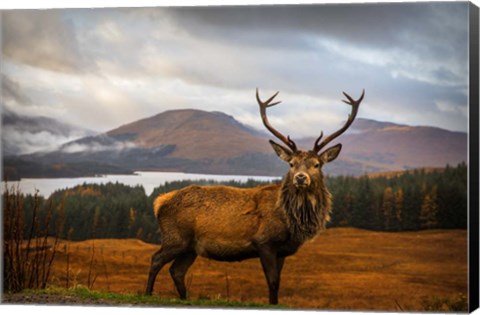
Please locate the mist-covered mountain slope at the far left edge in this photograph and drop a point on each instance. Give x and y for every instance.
(28, 134)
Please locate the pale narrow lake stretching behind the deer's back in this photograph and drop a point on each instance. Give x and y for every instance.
(149, 180)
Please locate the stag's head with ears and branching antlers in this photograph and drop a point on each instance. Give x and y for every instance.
(305, 171)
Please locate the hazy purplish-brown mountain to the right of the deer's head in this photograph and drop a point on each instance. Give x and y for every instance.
(383, 146)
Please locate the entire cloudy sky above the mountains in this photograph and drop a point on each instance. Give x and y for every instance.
(101, 68)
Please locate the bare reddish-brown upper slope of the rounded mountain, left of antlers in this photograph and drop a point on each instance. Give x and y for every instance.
(196, 135)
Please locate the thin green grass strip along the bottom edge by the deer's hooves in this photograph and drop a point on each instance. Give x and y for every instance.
(140, 299)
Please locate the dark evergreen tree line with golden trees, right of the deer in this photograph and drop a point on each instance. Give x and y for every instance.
(413, 200)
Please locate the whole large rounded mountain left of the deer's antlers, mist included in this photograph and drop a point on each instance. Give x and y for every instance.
(179, 140)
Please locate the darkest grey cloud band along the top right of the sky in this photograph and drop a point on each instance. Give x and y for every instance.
(435, 31)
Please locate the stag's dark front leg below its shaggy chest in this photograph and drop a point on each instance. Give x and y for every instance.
(270, 266)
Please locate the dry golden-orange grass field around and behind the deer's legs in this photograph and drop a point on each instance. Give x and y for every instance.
(342, 269)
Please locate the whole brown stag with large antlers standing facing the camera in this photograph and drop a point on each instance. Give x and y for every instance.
(269, 222)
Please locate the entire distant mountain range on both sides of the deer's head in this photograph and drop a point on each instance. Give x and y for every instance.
(212, 142)
